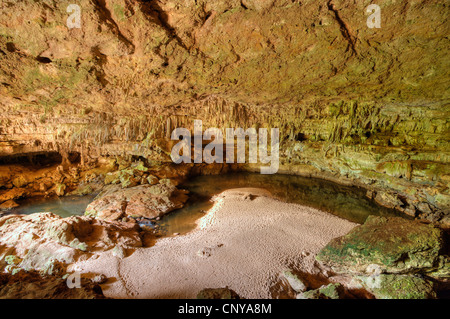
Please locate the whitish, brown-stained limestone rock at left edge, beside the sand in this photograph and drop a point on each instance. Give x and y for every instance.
(48, 243)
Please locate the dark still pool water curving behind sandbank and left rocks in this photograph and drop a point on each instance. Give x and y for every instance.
(347, 202)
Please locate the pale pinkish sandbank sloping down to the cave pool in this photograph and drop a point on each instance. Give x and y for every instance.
(244, 242)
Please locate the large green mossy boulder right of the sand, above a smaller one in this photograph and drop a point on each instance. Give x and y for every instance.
(395, 244)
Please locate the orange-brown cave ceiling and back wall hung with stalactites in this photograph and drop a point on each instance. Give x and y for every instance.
(353, 104)
